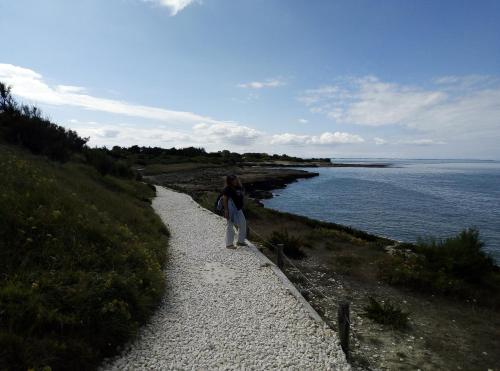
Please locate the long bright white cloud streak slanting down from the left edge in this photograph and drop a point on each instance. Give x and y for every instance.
(30, 85)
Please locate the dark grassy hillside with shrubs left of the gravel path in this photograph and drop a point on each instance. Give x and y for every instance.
(81, 250)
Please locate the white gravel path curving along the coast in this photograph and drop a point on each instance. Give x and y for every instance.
(223, 308)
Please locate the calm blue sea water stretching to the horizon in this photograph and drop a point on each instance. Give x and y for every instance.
(408, 200)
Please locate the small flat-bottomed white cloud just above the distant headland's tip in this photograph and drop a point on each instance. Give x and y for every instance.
(326, 138)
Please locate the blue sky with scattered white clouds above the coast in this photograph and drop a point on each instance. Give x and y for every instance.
(353, 78)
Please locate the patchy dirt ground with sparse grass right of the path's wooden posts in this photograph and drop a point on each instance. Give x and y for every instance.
(443, 334)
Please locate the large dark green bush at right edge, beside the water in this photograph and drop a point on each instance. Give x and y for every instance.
(456, 266)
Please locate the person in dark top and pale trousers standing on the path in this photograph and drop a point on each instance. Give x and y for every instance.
(233, 204)
